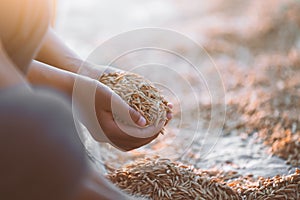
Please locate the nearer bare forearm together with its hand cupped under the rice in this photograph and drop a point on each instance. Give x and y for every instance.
(42, 74)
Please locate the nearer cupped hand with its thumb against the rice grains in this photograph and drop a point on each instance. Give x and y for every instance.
(123, 126)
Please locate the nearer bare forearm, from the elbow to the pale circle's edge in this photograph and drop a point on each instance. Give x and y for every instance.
(45, 75)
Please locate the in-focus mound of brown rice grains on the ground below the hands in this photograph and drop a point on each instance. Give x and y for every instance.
(163, 179)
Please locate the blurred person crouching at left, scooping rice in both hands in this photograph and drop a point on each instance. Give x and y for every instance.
(41, 155)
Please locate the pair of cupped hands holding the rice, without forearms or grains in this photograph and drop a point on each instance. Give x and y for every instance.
(122, 126)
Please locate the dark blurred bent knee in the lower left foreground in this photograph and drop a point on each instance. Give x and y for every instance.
(41, 154)
